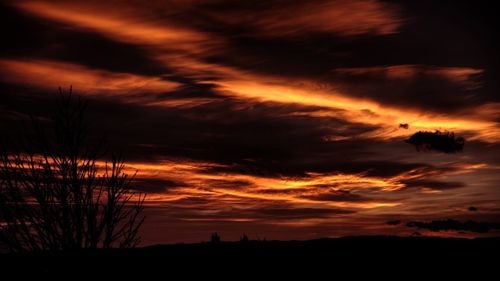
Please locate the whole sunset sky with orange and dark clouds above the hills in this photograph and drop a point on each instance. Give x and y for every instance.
(275, 119)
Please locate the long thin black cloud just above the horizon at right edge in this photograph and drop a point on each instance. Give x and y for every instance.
(454, 225)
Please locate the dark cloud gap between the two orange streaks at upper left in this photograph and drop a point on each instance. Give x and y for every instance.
(29, 37)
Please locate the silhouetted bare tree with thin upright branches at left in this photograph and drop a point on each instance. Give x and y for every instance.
(57, 194)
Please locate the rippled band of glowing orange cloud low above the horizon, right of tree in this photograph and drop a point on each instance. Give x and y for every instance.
(211, 195)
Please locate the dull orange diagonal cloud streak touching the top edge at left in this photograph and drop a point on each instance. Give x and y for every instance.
(119, 23)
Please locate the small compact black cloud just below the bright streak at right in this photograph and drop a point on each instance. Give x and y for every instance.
(437, 141)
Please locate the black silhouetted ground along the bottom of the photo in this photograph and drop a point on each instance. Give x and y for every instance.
(375, 256)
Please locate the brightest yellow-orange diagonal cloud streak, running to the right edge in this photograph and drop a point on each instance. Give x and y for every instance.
(361, 110)
